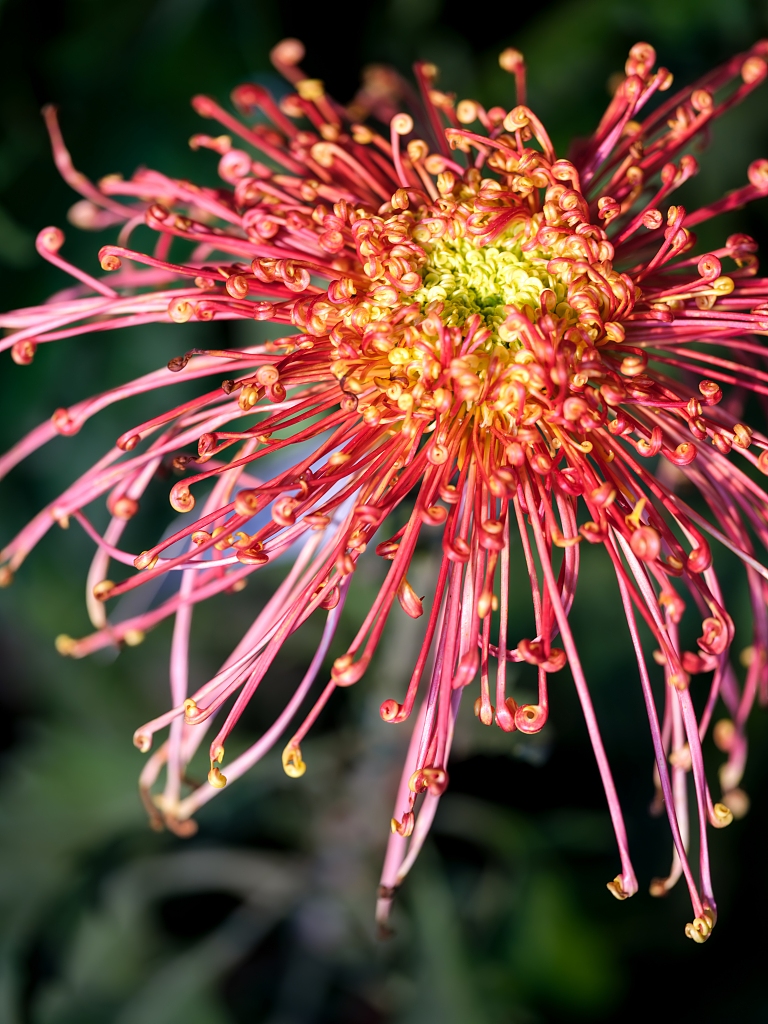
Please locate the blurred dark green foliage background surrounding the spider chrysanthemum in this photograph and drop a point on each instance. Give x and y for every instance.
(267, 915)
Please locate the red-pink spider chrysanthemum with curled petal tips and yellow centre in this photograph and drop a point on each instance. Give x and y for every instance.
(516, 348)
